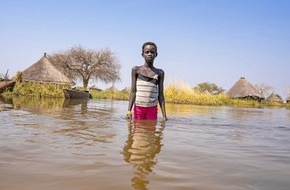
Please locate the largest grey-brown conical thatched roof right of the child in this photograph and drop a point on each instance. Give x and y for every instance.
(243, 89)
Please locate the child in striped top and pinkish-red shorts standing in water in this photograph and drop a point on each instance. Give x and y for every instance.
(147, 87)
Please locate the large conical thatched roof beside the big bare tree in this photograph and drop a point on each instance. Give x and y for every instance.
(44, 71)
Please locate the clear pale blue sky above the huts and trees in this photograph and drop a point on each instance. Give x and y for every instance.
(216, 41)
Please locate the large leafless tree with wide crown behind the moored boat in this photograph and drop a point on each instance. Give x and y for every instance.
(84, 64)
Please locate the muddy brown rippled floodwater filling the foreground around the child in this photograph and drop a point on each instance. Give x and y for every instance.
(88, 145)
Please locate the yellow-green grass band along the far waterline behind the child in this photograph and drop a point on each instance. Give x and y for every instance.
(176, 93)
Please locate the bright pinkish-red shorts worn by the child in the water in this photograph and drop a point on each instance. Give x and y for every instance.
(145, 113)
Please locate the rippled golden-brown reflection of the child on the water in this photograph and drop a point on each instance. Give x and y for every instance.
(141, 148)
